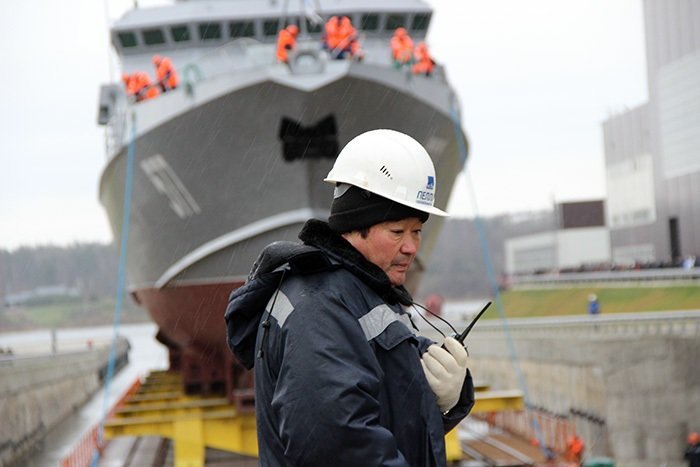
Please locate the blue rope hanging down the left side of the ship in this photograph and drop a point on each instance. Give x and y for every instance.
(121, 282)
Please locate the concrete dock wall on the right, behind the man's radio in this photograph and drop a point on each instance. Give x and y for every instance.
(630, 383)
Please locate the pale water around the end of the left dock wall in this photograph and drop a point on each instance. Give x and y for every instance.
(146, 355)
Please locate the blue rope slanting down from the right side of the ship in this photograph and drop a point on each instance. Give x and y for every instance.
(491, 277)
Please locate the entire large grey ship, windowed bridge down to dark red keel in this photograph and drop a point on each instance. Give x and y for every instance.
(234, 158)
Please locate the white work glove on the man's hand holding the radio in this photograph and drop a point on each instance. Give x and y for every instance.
(445, 371)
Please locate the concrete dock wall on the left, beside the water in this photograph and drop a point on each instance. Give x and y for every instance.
(38, 392)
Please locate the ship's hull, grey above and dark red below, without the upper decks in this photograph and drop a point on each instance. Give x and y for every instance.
(211, 187)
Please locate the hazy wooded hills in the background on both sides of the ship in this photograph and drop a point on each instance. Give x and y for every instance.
(457, 268)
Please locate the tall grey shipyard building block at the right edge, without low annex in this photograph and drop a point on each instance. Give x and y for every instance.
(652, 152)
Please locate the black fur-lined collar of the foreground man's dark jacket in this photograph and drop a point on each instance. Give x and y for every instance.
(318, 234)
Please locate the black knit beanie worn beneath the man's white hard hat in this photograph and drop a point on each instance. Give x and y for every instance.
(357, 209)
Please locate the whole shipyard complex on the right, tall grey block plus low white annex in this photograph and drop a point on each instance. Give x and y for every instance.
(652, 166)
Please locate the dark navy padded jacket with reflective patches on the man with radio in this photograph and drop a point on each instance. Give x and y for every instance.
(338, 379)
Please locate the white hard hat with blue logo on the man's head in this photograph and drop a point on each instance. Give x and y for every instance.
(390, 164)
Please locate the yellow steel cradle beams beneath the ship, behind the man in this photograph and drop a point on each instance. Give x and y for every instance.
(195, 423)
